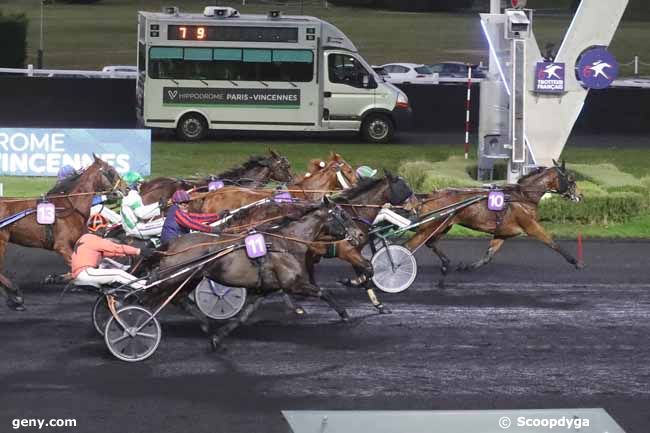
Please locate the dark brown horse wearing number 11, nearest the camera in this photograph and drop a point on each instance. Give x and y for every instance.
(281, 269)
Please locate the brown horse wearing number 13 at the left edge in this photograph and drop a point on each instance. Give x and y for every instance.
(72, 198)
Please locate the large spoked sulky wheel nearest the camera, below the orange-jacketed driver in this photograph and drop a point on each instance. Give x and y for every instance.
(126, 341)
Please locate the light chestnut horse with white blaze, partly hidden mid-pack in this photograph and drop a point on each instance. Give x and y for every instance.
(313, 187)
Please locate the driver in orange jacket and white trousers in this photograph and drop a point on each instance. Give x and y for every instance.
(89, 251)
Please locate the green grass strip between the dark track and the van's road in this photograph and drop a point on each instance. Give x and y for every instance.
(184, 159)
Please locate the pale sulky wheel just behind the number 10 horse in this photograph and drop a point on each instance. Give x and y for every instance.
(395, 269)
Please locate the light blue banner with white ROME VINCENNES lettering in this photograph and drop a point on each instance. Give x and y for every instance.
(42, 152)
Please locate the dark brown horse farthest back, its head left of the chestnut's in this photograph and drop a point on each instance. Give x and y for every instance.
(257, 170)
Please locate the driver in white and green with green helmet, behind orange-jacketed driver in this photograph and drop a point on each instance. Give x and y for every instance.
(139, 220)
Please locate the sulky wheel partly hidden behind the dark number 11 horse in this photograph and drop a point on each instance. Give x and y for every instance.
(217, 301)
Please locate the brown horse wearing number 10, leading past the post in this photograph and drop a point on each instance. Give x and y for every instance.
(520, 216)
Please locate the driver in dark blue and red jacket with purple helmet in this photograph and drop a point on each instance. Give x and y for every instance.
(180, 221)
